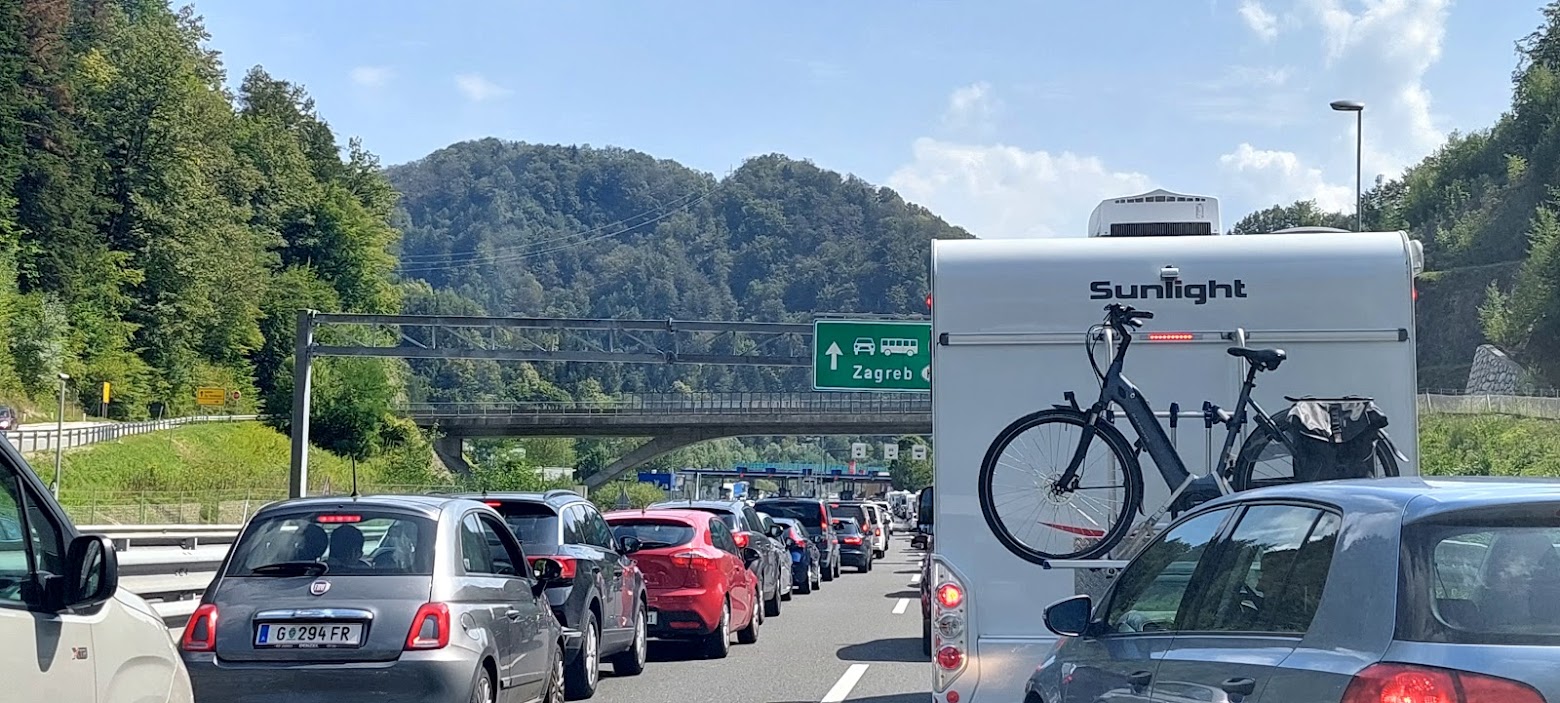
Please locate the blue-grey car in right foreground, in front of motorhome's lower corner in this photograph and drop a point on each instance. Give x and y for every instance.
(1361, 592)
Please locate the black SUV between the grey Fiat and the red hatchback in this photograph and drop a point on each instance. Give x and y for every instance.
(604, 592)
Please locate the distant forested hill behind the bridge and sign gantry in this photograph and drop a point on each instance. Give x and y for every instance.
(508, 228)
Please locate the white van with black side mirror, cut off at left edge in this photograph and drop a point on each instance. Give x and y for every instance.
(71, 634)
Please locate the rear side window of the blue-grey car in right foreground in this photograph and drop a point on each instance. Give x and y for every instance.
(1269, 578)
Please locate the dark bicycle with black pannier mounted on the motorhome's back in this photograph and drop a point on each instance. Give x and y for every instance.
(1015, 493)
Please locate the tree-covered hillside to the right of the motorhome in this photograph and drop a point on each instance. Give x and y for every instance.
(1486, 207)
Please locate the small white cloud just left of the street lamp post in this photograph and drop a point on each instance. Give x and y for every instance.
(1282, 178)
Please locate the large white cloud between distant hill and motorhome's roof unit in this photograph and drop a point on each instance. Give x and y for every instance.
(1002, 193)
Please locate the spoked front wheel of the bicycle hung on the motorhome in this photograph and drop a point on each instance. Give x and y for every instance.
(1018, 493)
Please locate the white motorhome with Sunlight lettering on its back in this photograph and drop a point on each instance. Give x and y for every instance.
(1009, 339)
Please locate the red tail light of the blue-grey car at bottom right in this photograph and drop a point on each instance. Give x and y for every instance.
(1406, 684)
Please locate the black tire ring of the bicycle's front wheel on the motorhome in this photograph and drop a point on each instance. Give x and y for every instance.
(1118, 447)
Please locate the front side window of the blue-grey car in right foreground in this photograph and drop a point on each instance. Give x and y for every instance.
(1150, 590)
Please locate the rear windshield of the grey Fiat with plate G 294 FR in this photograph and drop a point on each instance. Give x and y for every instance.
(341, 543)
